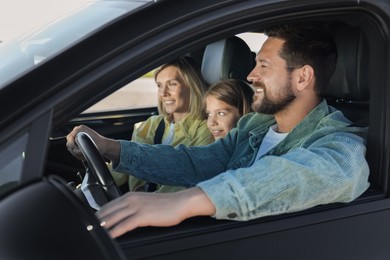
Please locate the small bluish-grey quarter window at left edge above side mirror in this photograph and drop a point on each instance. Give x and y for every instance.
(11, 162)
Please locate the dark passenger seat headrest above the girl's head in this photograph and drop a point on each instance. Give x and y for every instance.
(229, 58)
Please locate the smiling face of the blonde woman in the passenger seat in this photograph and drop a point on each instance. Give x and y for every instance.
(173, 92)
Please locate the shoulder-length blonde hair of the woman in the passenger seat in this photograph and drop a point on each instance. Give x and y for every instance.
(193, 79)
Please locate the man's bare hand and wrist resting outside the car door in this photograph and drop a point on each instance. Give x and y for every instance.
(139, 209)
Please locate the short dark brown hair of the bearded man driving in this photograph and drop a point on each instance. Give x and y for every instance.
(308, 44)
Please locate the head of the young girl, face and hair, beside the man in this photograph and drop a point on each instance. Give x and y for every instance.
(226, 101)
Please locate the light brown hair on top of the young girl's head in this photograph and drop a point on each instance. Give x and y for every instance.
(234, 92)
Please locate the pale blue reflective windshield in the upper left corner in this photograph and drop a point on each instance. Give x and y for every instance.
(22, 54)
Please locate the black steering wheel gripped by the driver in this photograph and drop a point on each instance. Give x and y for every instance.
(97, 168)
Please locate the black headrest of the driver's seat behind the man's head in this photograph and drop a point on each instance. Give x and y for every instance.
(349, 81)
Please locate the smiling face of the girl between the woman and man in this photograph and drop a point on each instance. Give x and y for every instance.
(221, 117)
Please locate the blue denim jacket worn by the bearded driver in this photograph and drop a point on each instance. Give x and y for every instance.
(321, 161)
